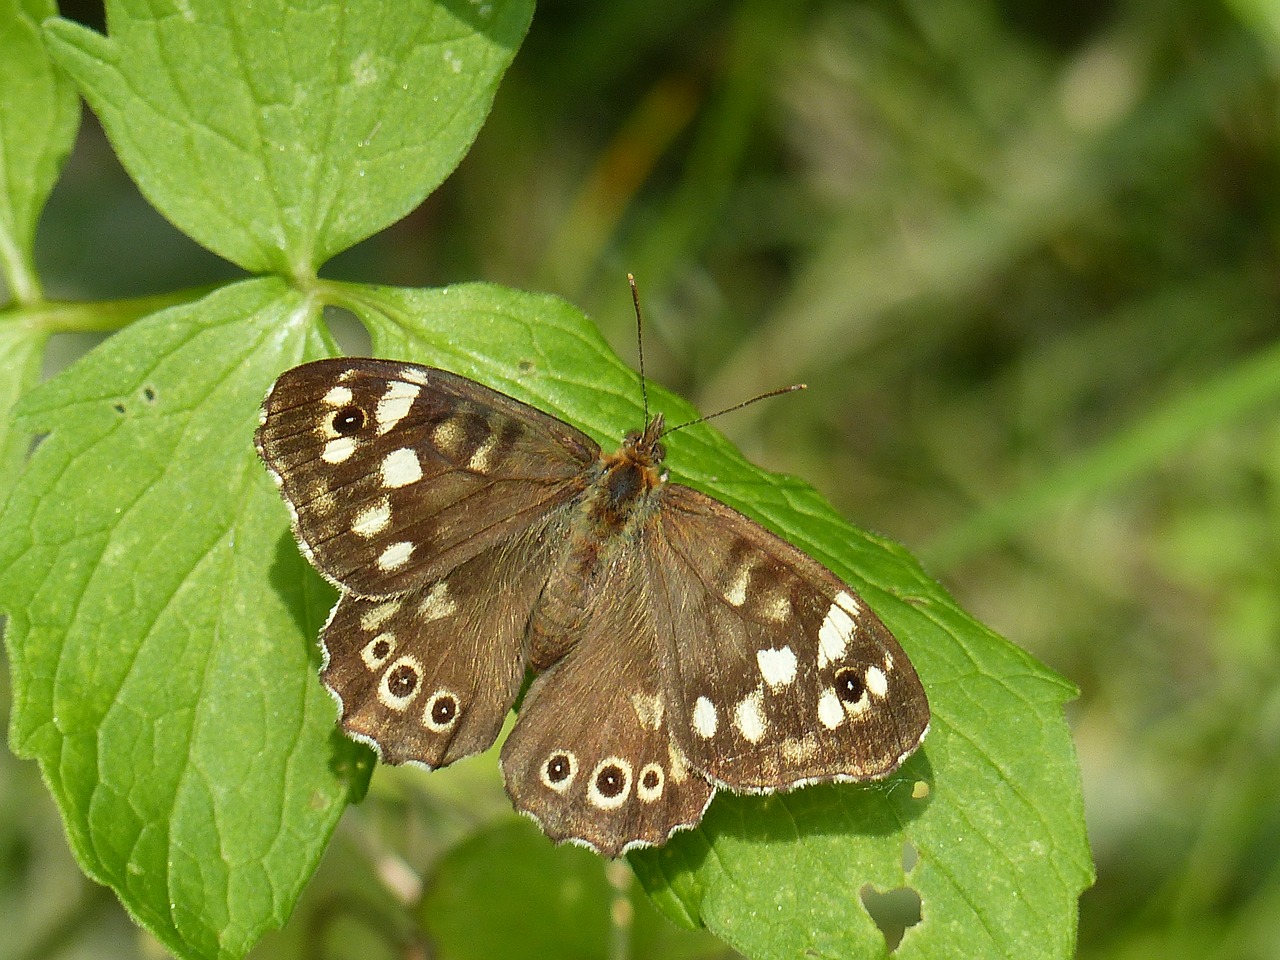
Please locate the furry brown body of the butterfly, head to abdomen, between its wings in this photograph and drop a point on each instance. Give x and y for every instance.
(620, 492)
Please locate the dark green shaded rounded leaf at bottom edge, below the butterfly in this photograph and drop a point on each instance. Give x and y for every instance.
(545, 902)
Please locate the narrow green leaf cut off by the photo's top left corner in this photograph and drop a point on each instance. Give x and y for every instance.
(39, 117)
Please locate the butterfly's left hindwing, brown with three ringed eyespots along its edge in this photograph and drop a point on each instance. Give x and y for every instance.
(429, 676)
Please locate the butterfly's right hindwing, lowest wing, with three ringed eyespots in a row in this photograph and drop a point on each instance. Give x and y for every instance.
(592, 758)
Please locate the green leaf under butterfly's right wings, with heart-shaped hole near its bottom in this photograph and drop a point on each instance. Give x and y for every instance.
(996, 849)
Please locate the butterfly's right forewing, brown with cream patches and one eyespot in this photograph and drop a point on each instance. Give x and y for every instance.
(776, 674)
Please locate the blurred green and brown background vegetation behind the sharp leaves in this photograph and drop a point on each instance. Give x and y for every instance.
(1023, 254)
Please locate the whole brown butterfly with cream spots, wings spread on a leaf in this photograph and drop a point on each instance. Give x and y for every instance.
(679, 648)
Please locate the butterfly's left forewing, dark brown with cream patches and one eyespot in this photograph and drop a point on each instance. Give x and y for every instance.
(397, 473)
